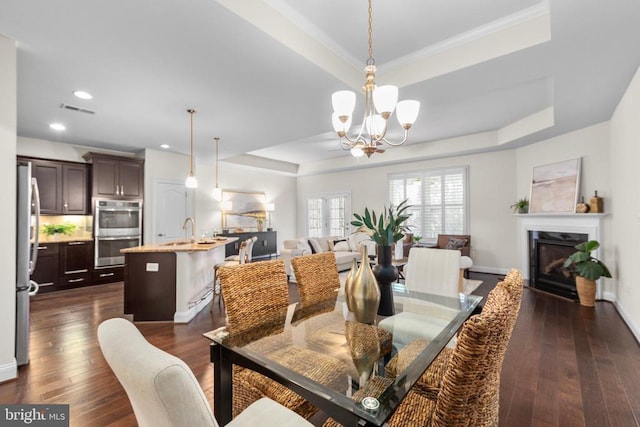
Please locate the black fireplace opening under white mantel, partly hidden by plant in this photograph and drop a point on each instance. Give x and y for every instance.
(547, 253)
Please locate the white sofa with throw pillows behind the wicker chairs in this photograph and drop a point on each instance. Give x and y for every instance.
(345, 249)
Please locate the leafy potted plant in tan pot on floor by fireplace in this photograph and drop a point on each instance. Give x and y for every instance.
(587, 269)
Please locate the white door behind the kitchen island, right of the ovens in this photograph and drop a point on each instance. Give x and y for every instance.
(169, 210)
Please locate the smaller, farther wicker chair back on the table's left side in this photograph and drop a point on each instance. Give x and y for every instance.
(317, 277)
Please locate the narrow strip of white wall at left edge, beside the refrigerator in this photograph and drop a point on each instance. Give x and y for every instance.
(8, 88)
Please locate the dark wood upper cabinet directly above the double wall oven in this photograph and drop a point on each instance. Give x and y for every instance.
(116, 177)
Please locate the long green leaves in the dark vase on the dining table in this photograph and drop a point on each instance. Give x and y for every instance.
(386, 228)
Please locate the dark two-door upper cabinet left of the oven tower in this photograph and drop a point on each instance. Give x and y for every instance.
(64, 186)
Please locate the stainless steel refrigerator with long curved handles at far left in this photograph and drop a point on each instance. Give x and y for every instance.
(27, 227)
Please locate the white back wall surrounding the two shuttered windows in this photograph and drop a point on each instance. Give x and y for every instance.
(492, 190)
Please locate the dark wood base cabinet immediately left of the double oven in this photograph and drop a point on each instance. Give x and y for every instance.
(76, 263)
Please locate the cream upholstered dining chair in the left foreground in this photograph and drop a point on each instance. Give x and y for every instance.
(162, 389)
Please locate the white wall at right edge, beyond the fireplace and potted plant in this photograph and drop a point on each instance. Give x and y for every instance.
(625, 202)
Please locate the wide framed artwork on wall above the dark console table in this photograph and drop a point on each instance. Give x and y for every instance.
(247, 210)
